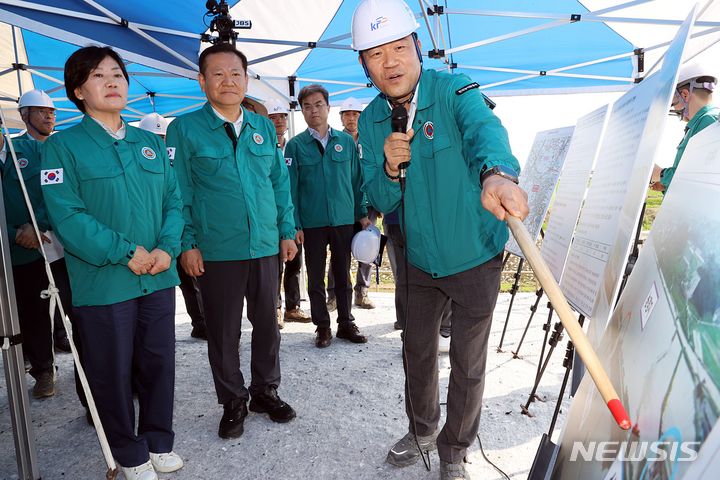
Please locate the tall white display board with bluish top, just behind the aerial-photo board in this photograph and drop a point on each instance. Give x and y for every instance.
(605, 231)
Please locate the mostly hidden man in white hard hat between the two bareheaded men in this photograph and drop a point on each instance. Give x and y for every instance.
(278, 114)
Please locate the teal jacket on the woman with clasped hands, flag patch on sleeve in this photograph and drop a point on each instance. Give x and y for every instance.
(104, 198)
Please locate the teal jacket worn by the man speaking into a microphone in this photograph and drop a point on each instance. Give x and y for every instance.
(456, 136)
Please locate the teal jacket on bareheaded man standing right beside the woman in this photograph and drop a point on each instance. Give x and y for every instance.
(237, 204)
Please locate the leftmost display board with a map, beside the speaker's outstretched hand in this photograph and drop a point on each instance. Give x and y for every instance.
(539, 177)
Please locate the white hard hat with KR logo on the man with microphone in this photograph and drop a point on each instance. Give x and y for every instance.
(376, 22)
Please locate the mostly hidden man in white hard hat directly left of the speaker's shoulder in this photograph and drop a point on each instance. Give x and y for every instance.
(349, 114)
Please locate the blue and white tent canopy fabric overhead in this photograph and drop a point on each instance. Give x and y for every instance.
(558, 46)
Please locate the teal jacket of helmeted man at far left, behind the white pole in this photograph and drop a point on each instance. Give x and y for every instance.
(16, 211)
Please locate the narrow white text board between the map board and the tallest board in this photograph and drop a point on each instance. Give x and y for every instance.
(572, 188)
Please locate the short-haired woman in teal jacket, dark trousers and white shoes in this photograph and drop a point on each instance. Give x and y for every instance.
(113, 200)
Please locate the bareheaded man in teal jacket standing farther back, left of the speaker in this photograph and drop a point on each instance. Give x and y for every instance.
(325, 180)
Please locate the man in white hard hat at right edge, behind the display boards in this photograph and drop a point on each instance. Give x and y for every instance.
(692, 102)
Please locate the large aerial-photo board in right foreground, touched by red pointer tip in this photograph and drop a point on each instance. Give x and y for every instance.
(661, 348)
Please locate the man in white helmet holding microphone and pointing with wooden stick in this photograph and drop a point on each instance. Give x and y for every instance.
(461, 184)
